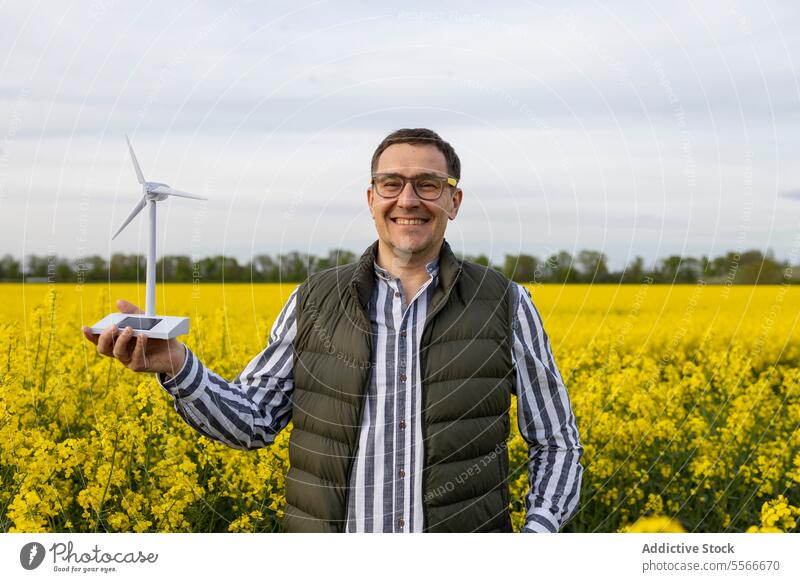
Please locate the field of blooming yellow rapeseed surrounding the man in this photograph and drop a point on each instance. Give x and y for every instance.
(687, 400)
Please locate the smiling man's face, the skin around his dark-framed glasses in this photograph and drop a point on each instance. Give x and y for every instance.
(406, 240)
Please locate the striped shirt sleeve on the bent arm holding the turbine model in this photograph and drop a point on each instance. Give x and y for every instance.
(249, 412)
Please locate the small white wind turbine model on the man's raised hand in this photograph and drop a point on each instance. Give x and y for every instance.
(156, 326)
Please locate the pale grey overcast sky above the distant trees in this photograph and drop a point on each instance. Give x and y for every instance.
(633, 128)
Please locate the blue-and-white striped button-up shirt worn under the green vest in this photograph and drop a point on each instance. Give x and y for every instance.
(386, 485)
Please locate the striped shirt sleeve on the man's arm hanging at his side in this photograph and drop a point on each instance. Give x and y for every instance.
(546, 422)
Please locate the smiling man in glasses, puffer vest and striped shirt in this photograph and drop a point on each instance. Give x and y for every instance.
(397, 372)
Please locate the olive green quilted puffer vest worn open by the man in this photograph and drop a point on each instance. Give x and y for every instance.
(467, 381)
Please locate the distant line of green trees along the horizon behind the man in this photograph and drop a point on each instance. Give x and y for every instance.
(587, 266)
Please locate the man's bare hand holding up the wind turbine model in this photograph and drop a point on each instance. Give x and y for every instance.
(141, 354)
